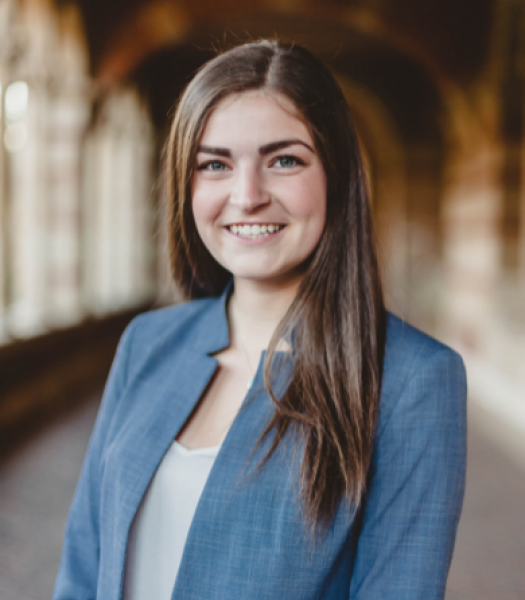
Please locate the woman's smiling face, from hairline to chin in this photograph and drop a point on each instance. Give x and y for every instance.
(259, 188)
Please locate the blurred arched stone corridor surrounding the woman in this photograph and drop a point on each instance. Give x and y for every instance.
(437, 89)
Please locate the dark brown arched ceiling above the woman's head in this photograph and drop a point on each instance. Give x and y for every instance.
(399, 50)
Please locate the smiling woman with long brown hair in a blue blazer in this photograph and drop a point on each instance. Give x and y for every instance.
(340, 472)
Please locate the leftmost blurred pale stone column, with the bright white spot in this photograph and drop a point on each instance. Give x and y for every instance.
(25, 139)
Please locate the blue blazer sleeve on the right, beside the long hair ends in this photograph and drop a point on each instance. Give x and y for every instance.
(416, 490)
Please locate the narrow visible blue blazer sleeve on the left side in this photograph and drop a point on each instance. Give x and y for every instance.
(78, 571)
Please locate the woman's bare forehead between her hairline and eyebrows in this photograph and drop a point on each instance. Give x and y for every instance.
(255, 113)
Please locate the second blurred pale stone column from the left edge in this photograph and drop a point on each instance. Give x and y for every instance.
(67, 117)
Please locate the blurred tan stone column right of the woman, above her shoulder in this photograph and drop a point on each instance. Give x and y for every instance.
(472, 245)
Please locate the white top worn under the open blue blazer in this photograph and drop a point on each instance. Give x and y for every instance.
(160, 528)
